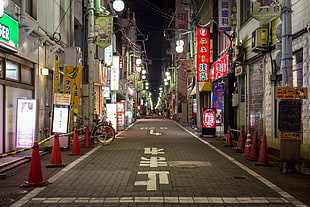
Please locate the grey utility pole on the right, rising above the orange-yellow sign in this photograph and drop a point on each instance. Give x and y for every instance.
(286, 60)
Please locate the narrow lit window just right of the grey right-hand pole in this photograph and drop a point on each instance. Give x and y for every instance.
(297, 69)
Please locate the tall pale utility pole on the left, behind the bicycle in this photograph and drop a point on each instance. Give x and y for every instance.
(90, 61)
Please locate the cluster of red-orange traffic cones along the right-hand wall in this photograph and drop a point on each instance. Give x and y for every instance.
(249, 148)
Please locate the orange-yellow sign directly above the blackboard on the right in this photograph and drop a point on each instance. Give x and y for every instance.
(291, 93)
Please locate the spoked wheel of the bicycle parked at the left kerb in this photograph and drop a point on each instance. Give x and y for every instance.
(104, 134)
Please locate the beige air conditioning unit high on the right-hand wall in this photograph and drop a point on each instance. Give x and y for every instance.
(260, 39)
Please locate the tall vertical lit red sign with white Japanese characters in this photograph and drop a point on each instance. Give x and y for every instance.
(203, 54)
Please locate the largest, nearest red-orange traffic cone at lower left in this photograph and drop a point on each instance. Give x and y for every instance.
(35, 178)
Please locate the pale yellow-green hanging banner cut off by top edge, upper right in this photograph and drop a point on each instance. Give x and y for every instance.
(265, 11)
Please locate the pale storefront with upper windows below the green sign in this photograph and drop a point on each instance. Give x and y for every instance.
(16, 81)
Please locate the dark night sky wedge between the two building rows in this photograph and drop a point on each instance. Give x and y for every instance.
(151, 23)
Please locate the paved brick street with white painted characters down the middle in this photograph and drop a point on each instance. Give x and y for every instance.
(158, 163)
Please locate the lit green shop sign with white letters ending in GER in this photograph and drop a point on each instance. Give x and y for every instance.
(9, 33)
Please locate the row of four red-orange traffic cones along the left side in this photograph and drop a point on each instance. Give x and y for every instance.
(35, 178)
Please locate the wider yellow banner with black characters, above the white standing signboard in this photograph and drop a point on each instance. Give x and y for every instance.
(72, 84)
